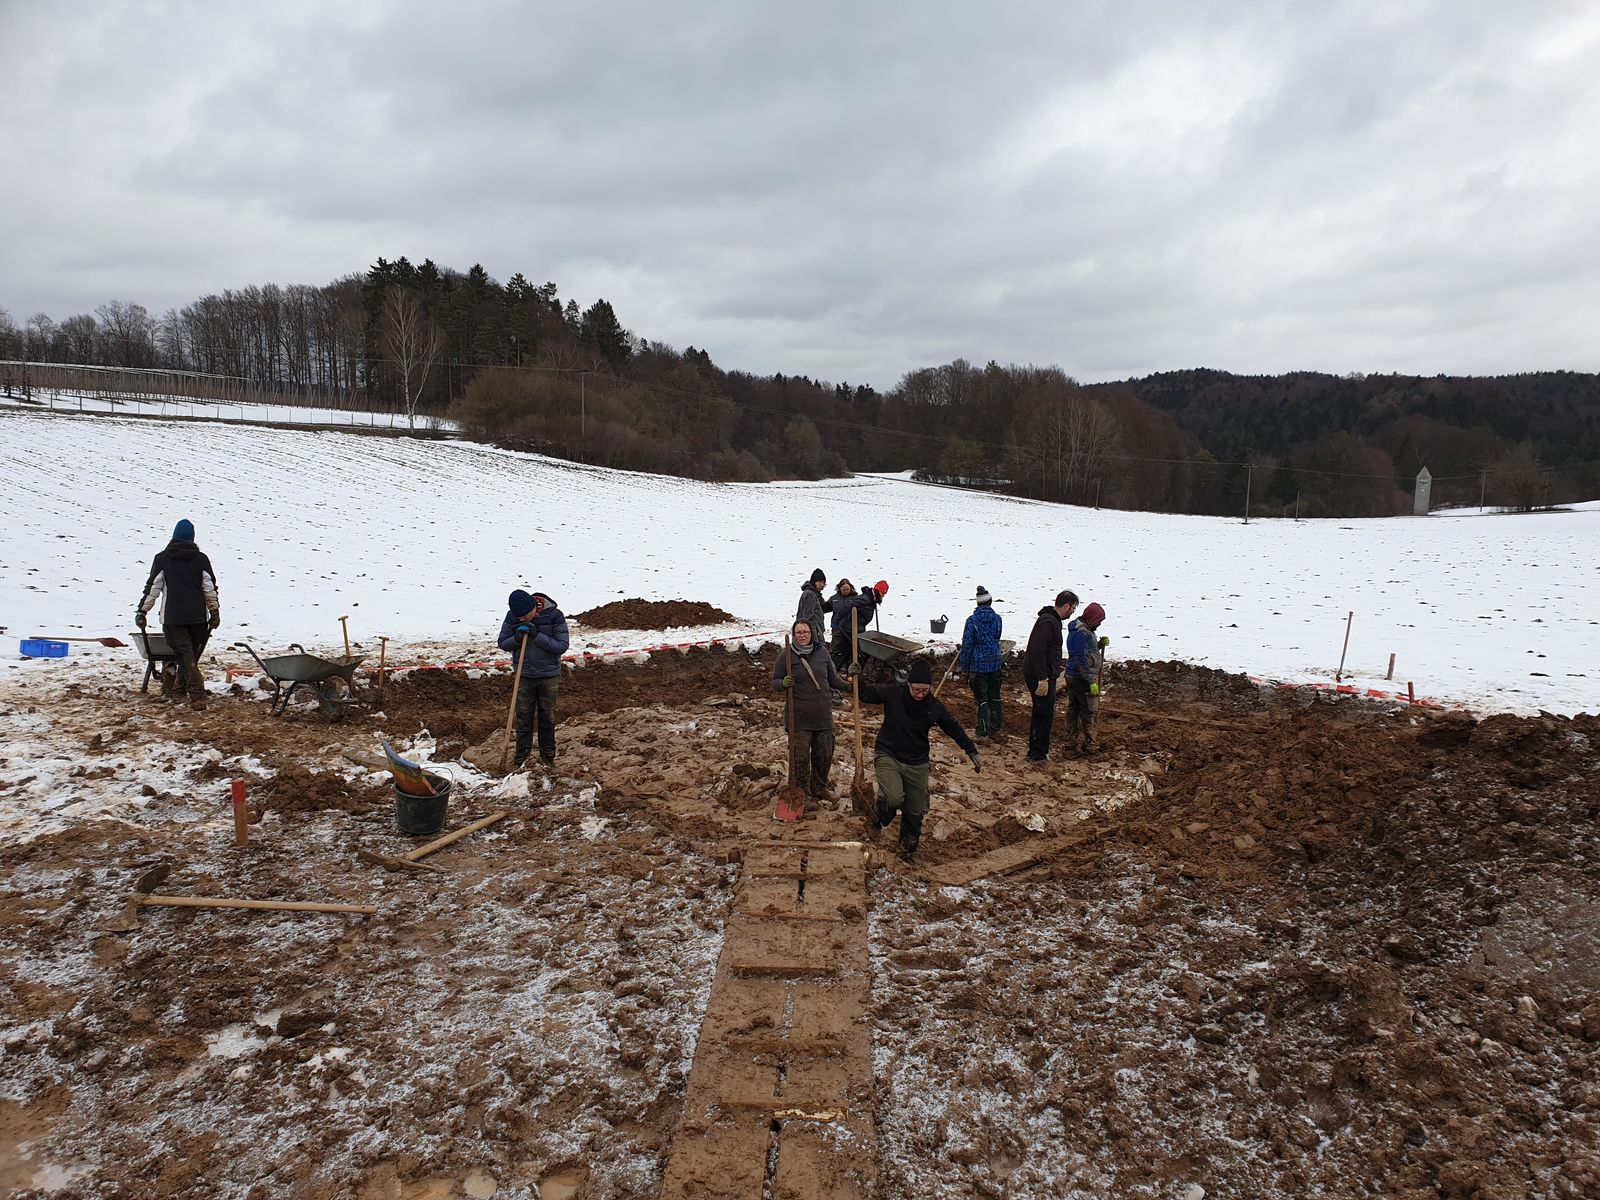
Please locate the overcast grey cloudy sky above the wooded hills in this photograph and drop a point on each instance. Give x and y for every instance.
(846, 191)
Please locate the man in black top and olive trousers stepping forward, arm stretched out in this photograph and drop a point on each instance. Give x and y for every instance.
(902, 751)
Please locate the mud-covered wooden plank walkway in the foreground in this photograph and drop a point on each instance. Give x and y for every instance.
(780, 1095)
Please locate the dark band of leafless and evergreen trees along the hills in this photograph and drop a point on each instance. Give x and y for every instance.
(518, 366)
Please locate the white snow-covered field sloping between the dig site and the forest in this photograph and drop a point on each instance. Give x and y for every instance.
(423, 542)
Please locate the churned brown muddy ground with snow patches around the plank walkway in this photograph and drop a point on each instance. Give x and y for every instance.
(1270, 943)
